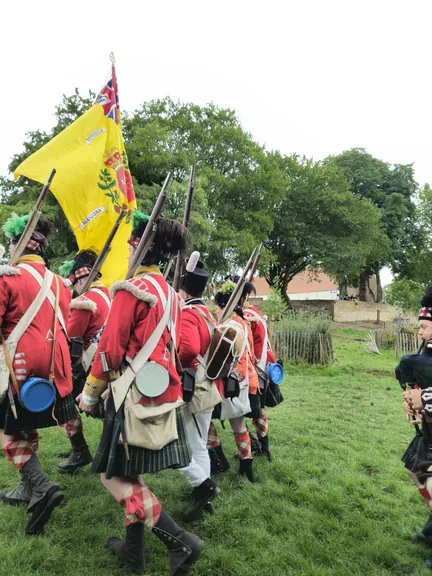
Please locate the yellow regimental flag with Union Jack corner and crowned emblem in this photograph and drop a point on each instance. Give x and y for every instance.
(93, 182)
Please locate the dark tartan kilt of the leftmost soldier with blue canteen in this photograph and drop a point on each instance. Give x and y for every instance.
(64, 410)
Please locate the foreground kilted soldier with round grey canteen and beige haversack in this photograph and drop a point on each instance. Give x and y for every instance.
(145, 433)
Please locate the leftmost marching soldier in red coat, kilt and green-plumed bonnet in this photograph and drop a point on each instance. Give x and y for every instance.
(37, 346)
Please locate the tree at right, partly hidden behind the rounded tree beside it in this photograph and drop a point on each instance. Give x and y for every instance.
(392, 190)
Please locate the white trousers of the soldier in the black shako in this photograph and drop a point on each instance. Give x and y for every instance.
(197, 426)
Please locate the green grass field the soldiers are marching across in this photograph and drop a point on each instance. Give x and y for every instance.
(336, 499)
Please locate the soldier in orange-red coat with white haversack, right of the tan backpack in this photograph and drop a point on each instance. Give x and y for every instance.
(236, 410)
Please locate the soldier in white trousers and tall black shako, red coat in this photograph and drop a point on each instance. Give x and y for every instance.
(197, 327)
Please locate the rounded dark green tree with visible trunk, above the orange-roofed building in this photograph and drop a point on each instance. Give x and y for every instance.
(318, 222)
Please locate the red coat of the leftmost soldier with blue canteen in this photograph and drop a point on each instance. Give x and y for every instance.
(18, 289)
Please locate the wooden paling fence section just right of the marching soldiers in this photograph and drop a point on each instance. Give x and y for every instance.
(313, 348)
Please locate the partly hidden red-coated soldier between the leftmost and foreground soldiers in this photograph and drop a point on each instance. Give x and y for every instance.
(88, 314)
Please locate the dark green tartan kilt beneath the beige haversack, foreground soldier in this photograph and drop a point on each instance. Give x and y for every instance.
(111, 457)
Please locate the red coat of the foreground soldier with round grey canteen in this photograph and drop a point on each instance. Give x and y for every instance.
(135, 313)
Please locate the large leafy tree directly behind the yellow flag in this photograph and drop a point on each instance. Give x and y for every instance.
(235, 191)
